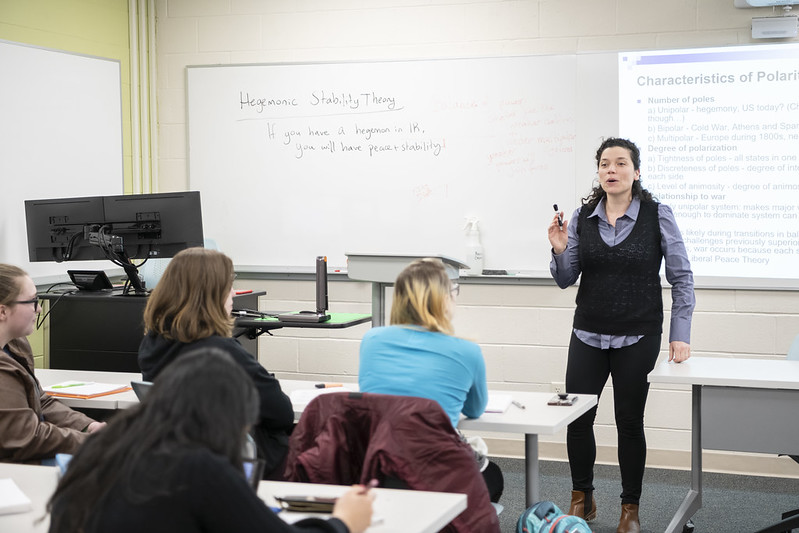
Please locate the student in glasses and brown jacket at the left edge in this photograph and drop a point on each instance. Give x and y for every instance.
(33, 425)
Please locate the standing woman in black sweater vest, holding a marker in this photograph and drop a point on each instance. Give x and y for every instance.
(615, 243)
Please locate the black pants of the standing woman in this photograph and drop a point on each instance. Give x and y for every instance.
(587, 372)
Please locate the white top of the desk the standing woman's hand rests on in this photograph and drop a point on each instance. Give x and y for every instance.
(730, 372)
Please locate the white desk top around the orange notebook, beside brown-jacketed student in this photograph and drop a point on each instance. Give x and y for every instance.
(120, 400)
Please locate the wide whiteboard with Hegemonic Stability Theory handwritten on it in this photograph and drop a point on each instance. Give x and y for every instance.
(300, 160)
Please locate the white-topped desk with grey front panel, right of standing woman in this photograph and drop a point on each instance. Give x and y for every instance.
(746, 405)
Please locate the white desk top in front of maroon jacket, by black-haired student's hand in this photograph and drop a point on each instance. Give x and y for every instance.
(408, 511)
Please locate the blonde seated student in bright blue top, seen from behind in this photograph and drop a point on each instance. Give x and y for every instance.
(419, 356)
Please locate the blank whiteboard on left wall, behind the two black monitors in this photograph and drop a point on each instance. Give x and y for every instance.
(60, 136)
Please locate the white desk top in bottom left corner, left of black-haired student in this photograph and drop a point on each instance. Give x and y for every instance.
(38, 483)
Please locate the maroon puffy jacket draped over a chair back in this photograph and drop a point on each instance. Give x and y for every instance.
(346, 438)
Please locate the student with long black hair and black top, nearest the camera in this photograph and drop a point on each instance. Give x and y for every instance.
(174, 463)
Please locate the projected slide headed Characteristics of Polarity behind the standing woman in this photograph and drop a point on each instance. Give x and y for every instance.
(718, 130)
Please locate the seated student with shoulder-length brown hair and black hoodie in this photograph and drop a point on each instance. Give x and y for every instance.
(190, 308)
